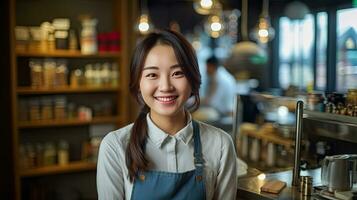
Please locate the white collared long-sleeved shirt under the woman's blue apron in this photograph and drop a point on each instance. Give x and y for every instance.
(170, 154)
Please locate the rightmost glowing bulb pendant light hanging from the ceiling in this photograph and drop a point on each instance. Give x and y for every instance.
(263, 32)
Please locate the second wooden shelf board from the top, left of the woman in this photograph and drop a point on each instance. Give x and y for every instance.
(64, 90)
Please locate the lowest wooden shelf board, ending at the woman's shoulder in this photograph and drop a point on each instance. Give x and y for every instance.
(59, 169)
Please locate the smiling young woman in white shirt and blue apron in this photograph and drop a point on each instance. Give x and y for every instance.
(165, 154)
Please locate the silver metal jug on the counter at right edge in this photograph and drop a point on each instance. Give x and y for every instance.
(339, 172)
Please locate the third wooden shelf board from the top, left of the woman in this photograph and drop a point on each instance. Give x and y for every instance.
(67, 122)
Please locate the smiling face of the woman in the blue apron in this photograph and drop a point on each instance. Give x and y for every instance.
(163, 85)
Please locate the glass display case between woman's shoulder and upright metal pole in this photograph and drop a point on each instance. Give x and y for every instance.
(265, 127)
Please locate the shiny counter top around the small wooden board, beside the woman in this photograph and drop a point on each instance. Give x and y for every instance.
(249, 185)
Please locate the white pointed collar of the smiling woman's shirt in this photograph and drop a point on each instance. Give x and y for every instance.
(158, 136)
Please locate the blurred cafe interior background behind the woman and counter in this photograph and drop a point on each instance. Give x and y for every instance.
(65, 73)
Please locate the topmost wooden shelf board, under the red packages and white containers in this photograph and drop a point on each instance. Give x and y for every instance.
(66, 54)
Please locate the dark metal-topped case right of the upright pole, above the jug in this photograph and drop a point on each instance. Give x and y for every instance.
(328, 134)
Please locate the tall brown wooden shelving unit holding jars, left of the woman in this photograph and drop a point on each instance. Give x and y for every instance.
(112, 15)
